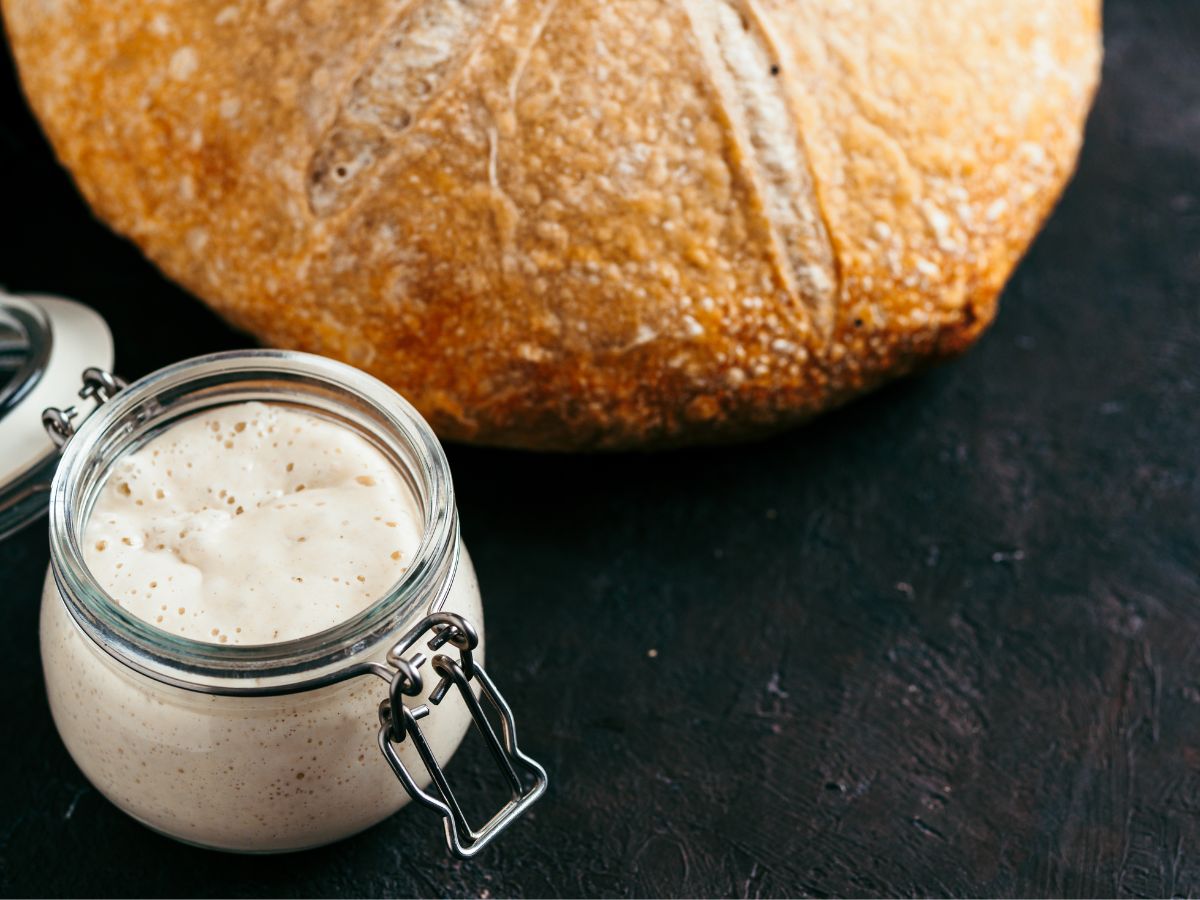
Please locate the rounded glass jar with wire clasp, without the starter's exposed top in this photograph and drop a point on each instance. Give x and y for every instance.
(274, 747)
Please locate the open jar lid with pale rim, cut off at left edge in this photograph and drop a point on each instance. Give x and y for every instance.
(46, 343)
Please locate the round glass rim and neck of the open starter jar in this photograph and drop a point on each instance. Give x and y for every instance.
(302, 381)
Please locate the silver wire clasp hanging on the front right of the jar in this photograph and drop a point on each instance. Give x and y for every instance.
(525, 778)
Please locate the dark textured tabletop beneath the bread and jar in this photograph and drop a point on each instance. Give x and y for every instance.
(941, 643)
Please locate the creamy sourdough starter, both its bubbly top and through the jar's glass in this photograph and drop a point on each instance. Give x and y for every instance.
(248, 525)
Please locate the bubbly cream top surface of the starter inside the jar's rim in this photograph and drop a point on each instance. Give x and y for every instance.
(251, 524)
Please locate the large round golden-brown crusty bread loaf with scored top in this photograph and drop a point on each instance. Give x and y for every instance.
(579, 224)
